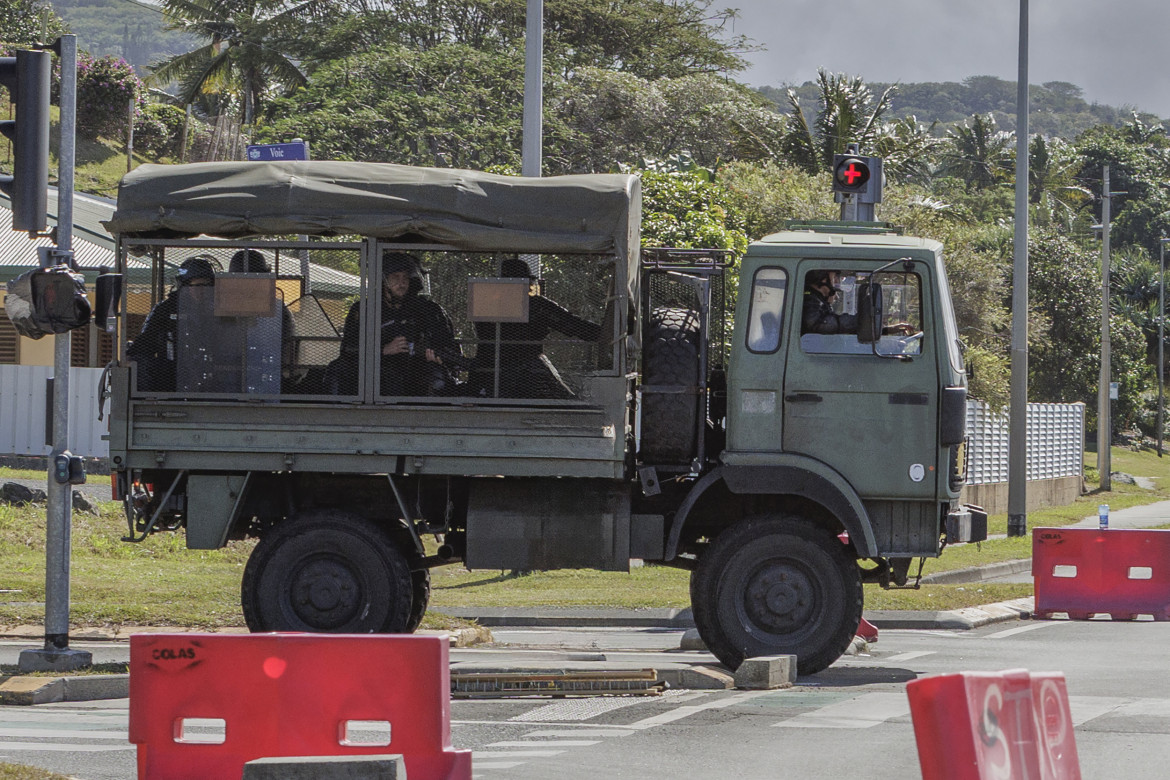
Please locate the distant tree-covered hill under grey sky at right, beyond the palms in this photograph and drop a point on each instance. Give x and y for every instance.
(1057, 108)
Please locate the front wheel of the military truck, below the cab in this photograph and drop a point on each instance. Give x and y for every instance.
(777, 585)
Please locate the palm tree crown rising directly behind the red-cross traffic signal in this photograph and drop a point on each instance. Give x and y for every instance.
(848, 114)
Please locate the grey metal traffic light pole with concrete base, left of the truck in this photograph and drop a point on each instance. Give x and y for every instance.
(57, 655)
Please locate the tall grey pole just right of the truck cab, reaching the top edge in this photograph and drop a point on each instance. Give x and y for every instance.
(1017, 419)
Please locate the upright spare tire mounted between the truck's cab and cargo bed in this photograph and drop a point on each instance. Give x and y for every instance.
(671, 358)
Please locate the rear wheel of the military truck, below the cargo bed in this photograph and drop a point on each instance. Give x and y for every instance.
(327, 572)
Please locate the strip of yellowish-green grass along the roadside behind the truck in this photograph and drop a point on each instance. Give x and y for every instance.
(161, 583)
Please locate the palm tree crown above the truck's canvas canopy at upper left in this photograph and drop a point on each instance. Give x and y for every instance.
(242, 60)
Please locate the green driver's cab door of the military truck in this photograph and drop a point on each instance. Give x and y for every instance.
(871, 417)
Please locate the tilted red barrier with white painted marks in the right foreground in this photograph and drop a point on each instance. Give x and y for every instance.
(1009, 726)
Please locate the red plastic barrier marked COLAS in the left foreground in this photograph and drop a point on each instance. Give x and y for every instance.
(280, 695)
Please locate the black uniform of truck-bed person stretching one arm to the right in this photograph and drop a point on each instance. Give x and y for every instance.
(526, 371)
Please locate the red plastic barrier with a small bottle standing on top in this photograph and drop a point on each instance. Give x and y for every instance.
(1084, 572)
